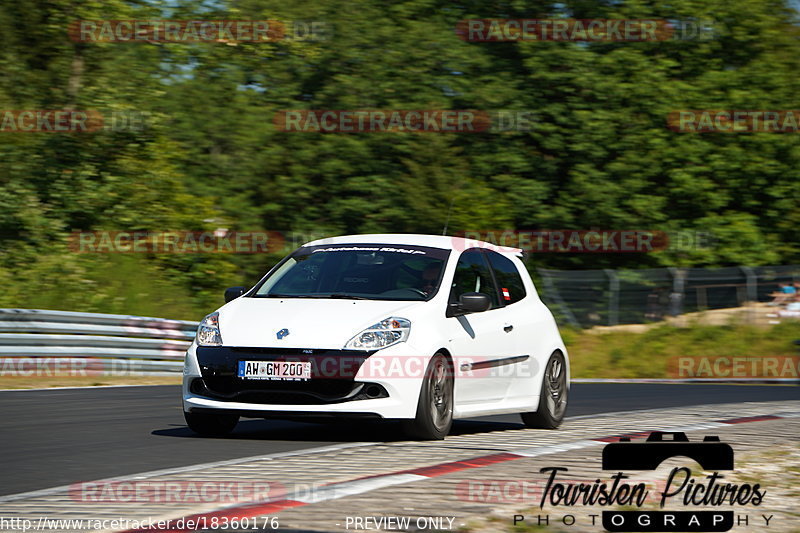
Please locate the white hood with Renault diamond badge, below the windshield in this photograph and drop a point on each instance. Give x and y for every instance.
(311, 323)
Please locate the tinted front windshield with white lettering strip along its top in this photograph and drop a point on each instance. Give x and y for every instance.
(363, 271)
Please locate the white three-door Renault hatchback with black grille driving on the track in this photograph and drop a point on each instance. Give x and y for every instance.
(420, 328)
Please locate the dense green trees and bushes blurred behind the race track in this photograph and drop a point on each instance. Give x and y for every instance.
(599, 154)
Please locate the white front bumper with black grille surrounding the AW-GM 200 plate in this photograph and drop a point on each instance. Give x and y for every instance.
(337, 385)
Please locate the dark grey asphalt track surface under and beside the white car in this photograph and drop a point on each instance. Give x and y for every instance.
(57, 437)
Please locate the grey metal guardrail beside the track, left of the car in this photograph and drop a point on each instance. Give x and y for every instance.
(41, 341)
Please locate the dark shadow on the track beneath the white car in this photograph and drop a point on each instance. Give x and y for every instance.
(362, 431)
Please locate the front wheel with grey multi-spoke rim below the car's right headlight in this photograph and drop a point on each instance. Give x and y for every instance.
(435, 407)
